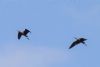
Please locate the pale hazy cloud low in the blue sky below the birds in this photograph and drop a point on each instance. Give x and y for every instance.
(30, 56)
